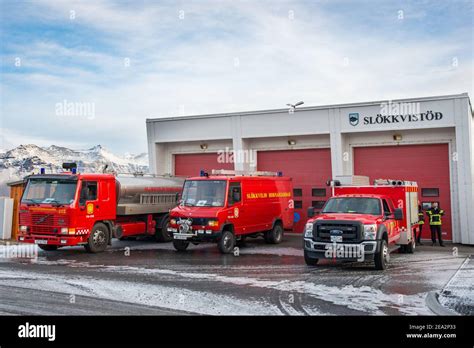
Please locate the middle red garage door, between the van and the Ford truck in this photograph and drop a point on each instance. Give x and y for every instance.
(310, 169)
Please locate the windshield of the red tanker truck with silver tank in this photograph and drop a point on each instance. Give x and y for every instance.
(49, 191)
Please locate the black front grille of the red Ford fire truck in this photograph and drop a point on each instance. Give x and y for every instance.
(350, 231)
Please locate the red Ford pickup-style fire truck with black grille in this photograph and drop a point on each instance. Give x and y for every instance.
(363, 222)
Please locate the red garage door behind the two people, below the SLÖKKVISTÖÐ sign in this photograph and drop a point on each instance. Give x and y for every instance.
(428, 165)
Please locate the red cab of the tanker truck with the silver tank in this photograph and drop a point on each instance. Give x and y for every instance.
(61, 209)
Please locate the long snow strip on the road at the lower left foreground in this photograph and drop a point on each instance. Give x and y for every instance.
(141, 293)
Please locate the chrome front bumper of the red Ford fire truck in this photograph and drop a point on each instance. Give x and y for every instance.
(362, 251)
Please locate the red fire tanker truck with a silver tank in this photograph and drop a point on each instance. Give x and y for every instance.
(70, 209)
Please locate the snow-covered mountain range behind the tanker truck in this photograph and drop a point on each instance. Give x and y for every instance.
(27, 159)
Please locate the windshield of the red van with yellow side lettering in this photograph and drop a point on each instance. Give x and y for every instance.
(204, 193)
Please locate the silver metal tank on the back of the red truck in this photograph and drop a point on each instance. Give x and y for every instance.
(147, 194)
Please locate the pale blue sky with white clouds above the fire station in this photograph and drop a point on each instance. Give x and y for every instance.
(81, 73)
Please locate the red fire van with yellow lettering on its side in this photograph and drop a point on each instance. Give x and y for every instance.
(228, 206)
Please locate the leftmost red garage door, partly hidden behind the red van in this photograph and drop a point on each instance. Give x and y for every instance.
(191, 164)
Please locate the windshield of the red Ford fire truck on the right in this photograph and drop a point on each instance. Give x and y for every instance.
(353, 205)
